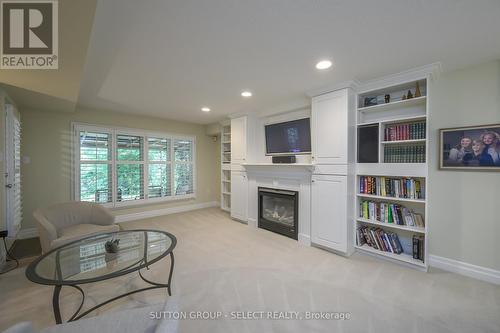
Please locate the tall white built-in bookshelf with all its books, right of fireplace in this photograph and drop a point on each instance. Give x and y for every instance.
(391, 171)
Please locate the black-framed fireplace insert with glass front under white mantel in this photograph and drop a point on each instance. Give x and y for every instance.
(278, 211)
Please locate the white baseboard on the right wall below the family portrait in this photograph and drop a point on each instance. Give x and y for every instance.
(466, 269)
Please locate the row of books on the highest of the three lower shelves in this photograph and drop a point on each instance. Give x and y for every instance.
(408, 188)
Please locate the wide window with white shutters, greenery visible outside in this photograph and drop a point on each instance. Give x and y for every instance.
(118, 167)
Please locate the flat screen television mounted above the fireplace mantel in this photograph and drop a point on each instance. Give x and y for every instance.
(289, 138)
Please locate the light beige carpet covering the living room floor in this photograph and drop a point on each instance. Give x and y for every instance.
(223, 265)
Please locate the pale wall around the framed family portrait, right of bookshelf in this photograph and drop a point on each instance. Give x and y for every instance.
(464, 206)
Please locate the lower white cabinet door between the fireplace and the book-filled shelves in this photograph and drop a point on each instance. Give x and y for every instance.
(329, 212)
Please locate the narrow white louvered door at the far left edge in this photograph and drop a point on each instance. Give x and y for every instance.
(12, 167)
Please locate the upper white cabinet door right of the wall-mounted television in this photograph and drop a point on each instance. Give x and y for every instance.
(330, 128)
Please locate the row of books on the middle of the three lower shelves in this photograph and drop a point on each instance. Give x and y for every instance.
(385, 212)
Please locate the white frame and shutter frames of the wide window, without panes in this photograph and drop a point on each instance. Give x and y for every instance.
(145, 134)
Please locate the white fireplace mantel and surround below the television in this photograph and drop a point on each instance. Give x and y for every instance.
(293, 177)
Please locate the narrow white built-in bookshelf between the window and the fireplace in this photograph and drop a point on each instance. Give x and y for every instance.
(225, 202)
